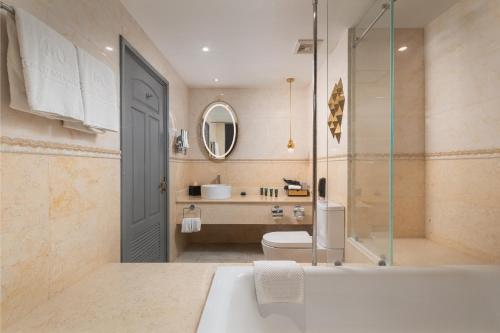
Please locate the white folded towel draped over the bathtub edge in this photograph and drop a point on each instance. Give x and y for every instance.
(278, 282)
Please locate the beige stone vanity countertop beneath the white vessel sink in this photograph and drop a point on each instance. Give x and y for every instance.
(251, 199)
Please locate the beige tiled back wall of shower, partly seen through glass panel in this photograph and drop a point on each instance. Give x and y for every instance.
(370, 139)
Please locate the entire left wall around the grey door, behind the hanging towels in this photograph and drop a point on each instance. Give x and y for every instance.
(60, 194)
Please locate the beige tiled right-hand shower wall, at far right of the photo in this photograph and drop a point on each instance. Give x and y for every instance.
(462, 176)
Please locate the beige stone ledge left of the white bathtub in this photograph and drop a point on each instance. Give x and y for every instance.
(127, 298)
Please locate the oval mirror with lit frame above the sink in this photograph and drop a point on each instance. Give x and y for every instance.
(219, 130)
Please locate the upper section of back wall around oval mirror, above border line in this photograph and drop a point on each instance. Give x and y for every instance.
(263, 121)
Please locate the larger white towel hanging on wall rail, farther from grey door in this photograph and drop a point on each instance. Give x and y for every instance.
(50, 70)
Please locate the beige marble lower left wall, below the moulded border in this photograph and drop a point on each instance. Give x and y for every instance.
(60, 221)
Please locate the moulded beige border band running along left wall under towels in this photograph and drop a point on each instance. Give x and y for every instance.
(29, 146)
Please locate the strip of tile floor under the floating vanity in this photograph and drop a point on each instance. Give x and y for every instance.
(207, 253)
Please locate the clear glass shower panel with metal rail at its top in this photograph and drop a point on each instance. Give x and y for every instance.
(370, 135)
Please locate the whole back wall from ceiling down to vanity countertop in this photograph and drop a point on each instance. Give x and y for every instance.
(260, 157)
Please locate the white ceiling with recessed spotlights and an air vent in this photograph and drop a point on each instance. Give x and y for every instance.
(252, 42)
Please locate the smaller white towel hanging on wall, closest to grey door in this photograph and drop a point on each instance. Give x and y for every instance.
(98, 86)
